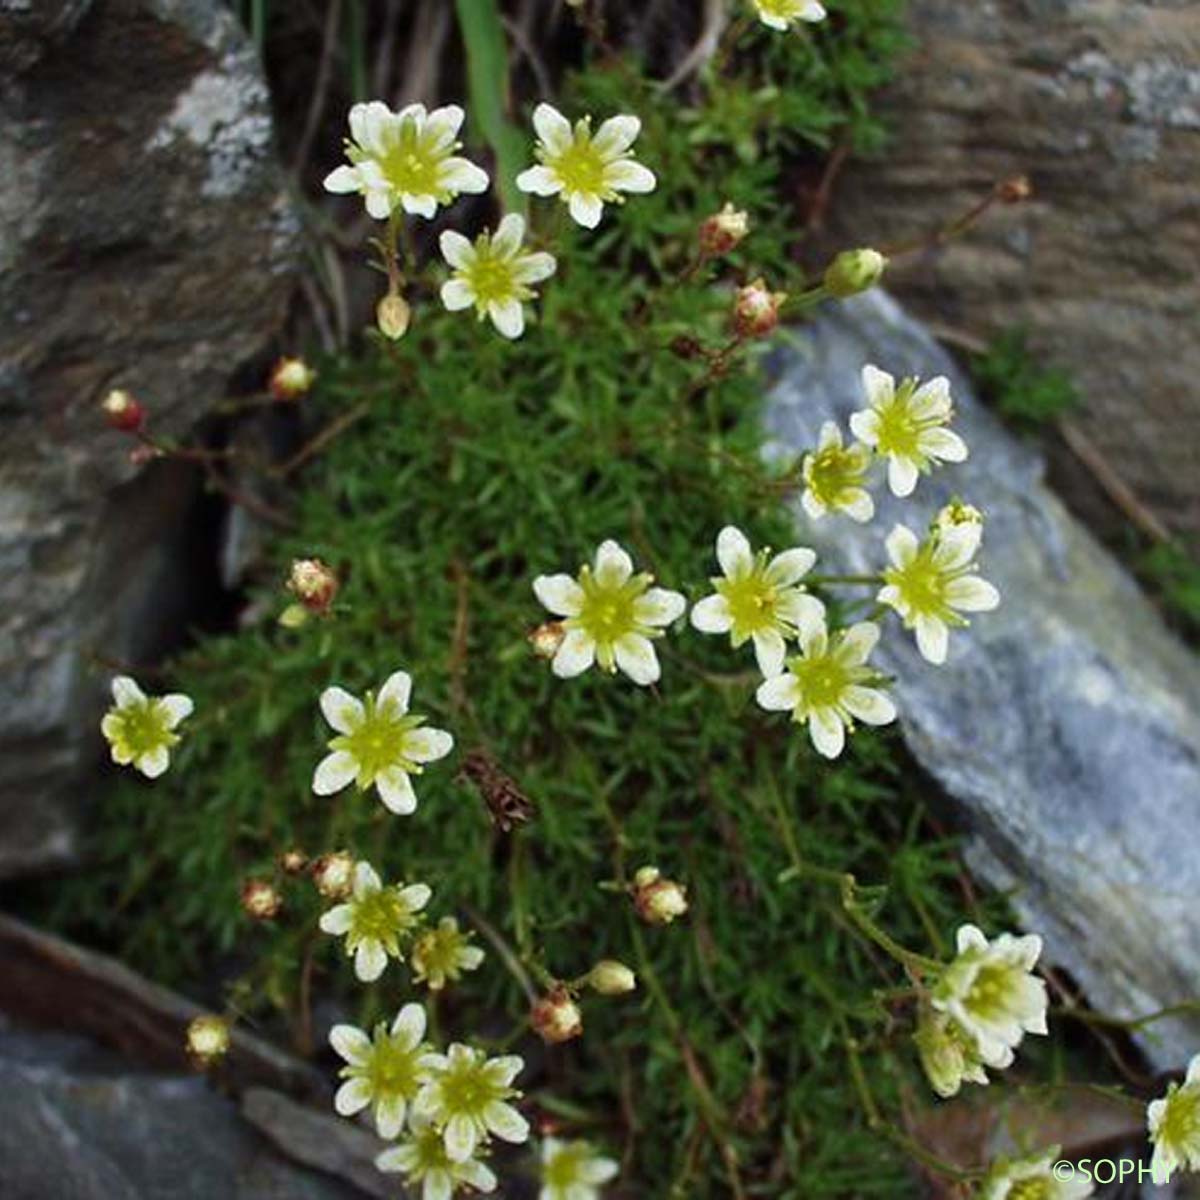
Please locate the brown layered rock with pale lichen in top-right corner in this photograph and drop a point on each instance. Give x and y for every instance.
(1099, 101)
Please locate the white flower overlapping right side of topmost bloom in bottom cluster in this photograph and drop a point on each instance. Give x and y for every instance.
(467, 1099)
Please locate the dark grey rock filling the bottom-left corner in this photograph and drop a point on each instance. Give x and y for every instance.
(77, 1124)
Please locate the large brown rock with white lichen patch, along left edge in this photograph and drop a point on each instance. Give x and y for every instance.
(146, 243)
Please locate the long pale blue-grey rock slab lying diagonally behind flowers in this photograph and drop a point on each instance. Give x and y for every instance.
(1066, 725)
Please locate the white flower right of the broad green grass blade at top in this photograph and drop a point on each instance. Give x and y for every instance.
(587, 171)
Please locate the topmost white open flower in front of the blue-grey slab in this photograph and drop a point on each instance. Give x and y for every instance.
(907, 427)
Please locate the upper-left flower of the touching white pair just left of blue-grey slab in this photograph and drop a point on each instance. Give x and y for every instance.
(759, 599)
